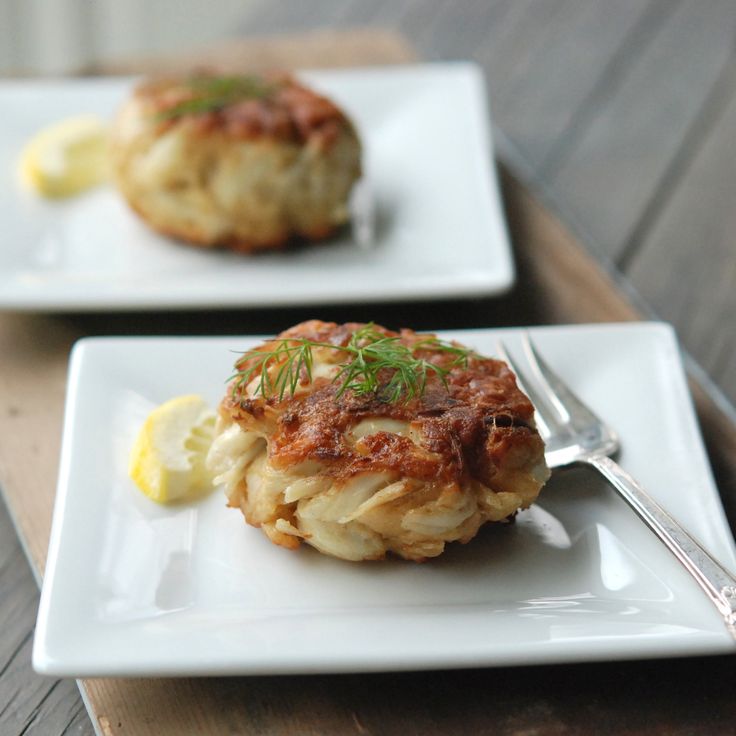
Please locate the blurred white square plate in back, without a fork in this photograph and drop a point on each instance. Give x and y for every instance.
(428, 158)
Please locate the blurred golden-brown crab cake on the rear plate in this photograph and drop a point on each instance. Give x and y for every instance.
(239, 161)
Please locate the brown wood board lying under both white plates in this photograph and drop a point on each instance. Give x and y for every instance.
(558, 283)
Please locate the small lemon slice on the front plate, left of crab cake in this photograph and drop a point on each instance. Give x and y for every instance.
(168, 458)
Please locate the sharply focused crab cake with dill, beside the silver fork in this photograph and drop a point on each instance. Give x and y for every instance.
(389, 464)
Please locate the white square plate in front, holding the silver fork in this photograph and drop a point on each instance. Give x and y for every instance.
(133, 588)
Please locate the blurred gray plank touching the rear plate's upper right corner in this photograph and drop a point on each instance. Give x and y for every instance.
(546, 65)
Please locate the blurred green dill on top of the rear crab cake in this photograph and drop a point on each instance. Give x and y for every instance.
(210, 94)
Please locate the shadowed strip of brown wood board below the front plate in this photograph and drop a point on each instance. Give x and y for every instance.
(629, 698)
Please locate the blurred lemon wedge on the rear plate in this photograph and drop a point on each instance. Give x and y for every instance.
(67, 157)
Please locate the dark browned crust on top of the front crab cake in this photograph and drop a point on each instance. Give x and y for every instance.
(468, 428)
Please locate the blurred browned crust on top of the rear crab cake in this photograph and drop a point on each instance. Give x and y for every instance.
(281, 109)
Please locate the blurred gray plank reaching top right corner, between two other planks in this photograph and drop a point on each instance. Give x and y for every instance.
(619, 162)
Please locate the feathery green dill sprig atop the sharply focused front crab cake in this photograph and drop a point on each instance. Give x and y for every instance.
(370, 357)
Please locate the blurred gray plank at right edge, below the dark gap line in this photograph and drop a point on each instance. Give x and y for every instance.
(693, 245)
